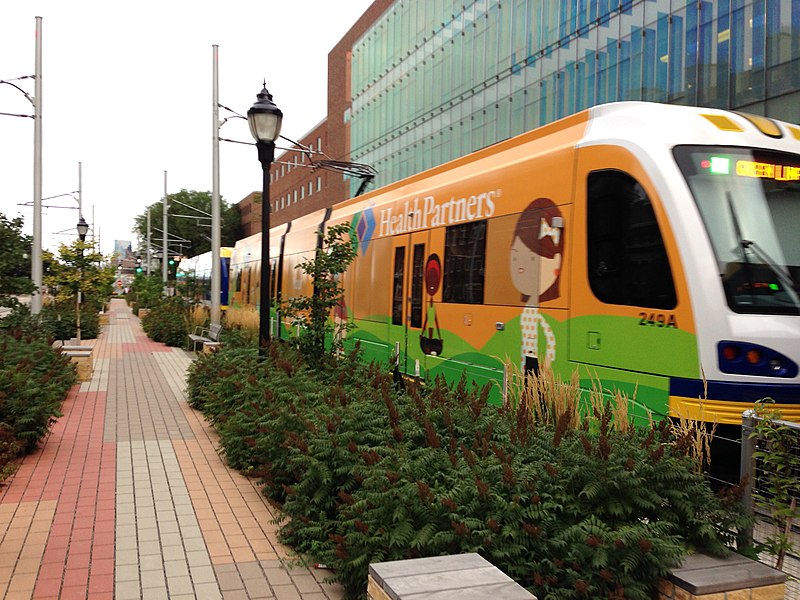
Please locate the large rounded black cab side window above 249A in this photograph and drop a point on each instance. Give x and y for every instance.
(627, 259)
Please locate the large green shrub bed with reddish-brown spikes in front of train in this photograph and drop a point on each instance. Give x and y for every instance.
(365, 473)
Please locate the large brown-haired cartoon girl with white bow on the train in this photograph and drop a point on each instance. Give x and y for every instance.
(535, 262)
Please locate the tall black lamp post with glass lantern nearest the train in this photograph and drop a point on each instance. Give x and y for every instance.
(265, 125)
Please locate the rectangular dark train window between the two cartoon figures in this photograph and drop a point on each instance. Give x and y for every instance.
(464, 263)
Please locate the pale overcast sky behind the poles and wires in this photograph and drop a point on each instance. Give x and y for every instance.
(127, 92)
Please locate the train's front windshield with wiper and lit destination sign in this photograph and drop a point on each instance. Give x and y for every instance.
(749, 200)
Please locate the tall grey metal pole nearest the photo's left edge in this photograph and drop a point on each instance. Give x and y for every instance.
(36, 251)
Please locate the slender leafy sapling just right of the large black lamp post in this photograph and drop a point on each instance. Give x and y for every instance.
(312, 313)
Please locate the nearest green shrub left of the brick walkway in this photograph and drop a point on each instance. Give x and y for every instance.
(34, 379)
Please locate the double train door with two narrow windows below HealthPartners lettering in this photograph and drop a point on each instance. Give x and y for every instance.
(407, 315)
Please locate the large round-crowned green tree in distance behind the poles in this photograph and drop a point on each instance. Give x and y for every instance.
(191, 229)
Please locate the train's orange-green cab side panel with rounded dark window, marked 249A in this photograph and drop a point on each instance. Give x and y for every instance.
(631, 327)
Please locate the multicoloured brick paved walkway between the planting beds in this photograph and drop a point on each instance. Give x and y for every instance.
(127, 498)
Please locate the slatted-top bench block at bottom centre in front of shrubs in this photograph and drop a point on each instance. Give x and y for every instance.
(462, 577)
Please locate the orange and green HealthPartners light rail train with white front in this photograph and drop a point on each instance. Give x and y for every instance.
(654, 248)
